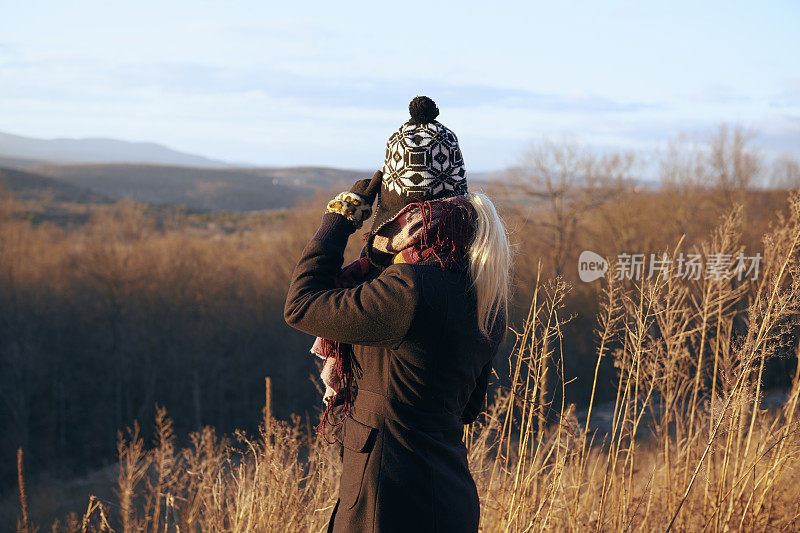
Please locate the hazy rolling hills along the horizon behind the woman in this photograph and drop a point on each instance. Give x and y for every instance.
(109, 169)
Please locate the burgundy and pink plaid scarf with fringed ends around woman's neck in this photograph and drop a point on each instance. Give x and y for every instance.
(434, 232)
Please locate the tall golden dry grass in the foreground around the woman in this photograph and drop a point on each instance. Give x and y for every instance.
(689, 447)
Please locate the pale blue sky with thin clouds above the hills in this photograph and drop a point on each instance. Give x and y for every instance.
(326, 83)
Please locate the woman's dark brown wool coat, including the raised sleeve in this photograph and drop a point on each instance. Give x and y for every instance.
(422, 370)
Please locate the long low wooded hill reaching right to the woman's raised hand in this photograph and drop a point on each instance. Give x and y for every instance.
(235, 189)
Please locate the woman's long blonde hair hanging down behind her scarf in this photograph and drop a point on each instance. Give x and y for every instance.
(489, 263)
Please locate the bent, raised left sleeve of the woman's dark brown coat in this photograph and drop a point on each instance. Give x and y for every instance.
(375, 313)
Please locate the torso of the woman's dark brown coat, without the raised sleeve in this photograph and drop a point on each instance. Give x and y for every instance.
(404, 463)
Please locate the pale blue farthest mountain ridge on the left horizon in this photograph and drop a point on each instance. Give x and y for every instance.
(15, 149)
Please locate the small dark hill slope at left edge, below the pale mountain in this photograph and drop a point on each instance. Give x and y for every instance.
(28, 186)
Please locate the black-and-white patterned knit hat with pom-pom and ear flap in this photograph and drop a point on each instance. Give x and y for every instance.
(423, 162)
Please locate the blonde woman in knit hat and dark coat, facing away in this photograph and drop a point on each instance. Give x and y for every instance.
(408, 331)
